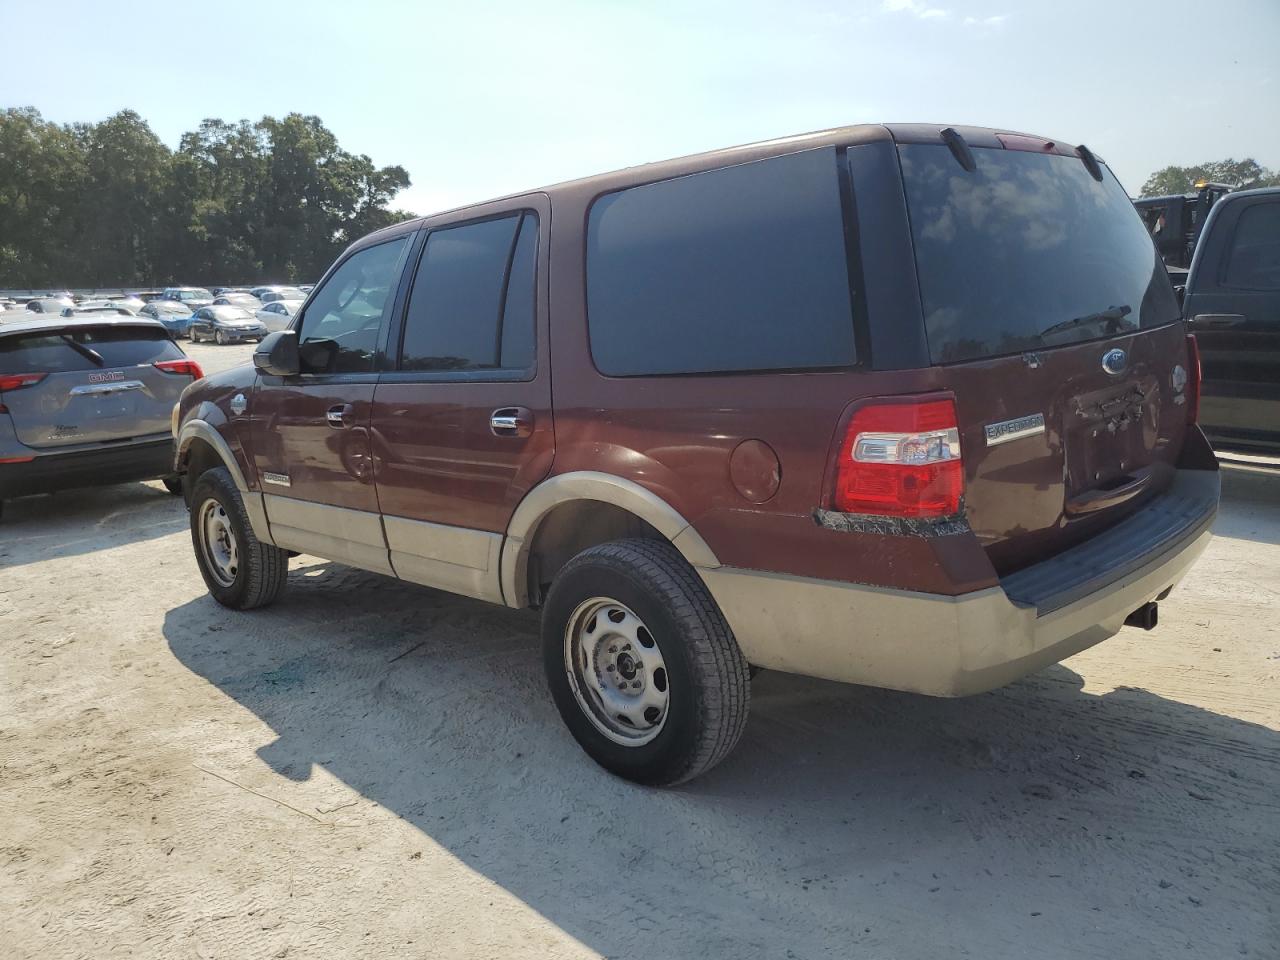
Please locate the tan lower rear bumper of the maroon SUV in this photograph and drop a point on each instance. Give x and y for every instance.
(922, 643)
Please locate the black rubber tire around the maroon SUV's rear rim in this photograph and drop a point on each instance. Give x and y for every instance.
(706, 673)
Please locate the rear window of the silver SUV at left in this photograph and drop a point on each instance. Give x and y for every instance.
(56, 351)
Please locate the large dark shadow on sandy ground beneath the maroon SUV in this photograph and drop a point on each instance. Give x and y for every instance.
(902, 824)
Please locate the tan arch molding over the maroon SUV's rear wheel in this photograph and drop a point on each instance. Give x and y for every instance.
(591, 486)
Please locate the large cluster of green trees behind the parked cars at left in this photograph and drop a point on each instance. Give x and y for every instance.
(111, 205)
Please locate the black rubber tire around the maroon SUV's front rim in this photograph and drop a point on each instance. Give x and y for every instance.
(262, 570)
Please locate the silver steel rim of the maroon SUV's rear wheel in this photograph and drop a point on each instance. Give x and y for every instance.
(616, 671)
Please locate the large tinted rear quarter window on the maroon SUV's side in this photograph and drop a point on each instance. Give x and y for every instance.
(735, 269)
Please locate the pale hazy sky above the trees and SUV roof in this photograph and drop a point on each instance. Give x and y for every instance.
(483, 99)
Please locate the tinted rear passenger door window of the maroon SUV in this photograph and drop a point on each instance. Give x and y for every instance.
(473, 301)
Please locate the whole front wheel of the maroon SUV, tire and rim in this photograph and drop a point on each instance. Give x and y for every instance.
(241, 572)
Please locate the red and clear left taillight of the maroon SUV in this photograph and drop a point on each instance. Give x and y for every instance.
(902, 459)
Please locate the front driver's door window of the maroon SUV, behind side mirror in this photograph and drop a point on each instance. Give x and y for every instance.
(340, 330)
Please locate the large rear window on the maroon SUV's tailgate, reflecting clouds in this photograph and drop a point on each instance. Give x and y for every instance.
(1027, 253)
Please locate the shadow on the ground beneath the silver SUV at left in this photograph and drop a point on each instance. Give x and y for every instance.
(72, 523)
